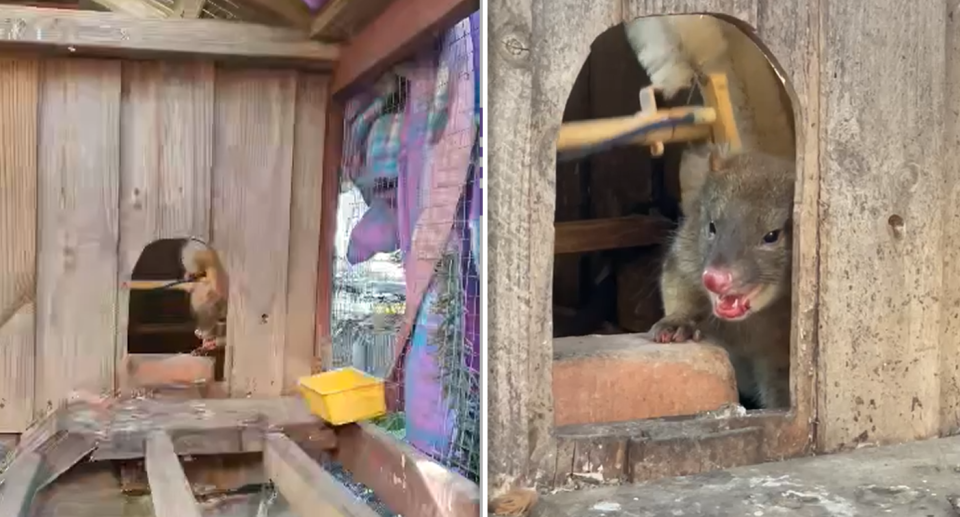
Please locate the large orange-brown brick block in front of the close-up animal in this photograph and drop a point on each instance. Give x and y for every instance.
(605, 379)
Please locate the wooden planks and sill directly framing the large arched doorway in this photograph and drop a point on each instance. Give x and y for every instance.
(534, 70)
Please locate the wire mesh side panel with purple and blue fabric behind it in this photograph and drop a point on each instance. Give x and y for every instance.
(406, 281)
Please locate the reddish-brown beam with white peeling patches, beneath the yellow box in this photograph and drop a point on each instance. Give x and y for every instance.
(407, 481)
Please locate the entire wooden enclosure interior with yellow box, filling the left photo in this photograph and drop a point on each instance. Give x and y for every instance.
(326, 155)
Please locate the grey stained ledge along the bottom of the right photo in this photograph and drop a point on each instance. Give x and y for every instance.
(913, 480)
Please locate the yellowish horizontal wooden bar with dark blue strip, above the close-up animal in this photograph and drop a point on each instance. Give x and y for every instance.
(583, 133)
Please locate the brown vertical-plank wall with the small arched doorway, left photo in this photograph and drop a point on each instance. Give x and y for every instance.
(100, 157)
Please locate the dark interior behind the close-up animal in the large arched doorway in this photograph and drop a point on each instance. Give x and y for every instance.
(614, 209)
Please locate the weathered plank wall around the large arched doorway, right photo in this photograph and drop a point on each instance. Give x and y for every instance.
(876, 304)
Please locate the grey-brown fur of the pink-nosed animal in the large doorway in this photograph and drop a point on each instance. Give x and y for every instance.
(749, 197)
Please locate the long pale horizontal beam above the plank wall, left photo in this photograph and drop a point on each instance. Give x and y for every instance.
(118, 35)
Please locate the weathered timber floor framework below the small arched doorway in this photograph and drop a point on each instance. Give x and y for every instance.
(287, 438)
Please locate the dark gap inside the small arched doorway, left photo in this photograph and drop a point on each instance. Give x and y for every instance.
(159, 319)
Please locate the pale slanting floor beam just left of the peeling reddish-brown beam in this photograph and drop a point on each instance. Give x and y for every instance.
(310, 490)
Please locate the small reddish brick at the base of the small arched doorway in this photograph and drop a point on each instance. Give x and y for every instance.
(153, 370)
